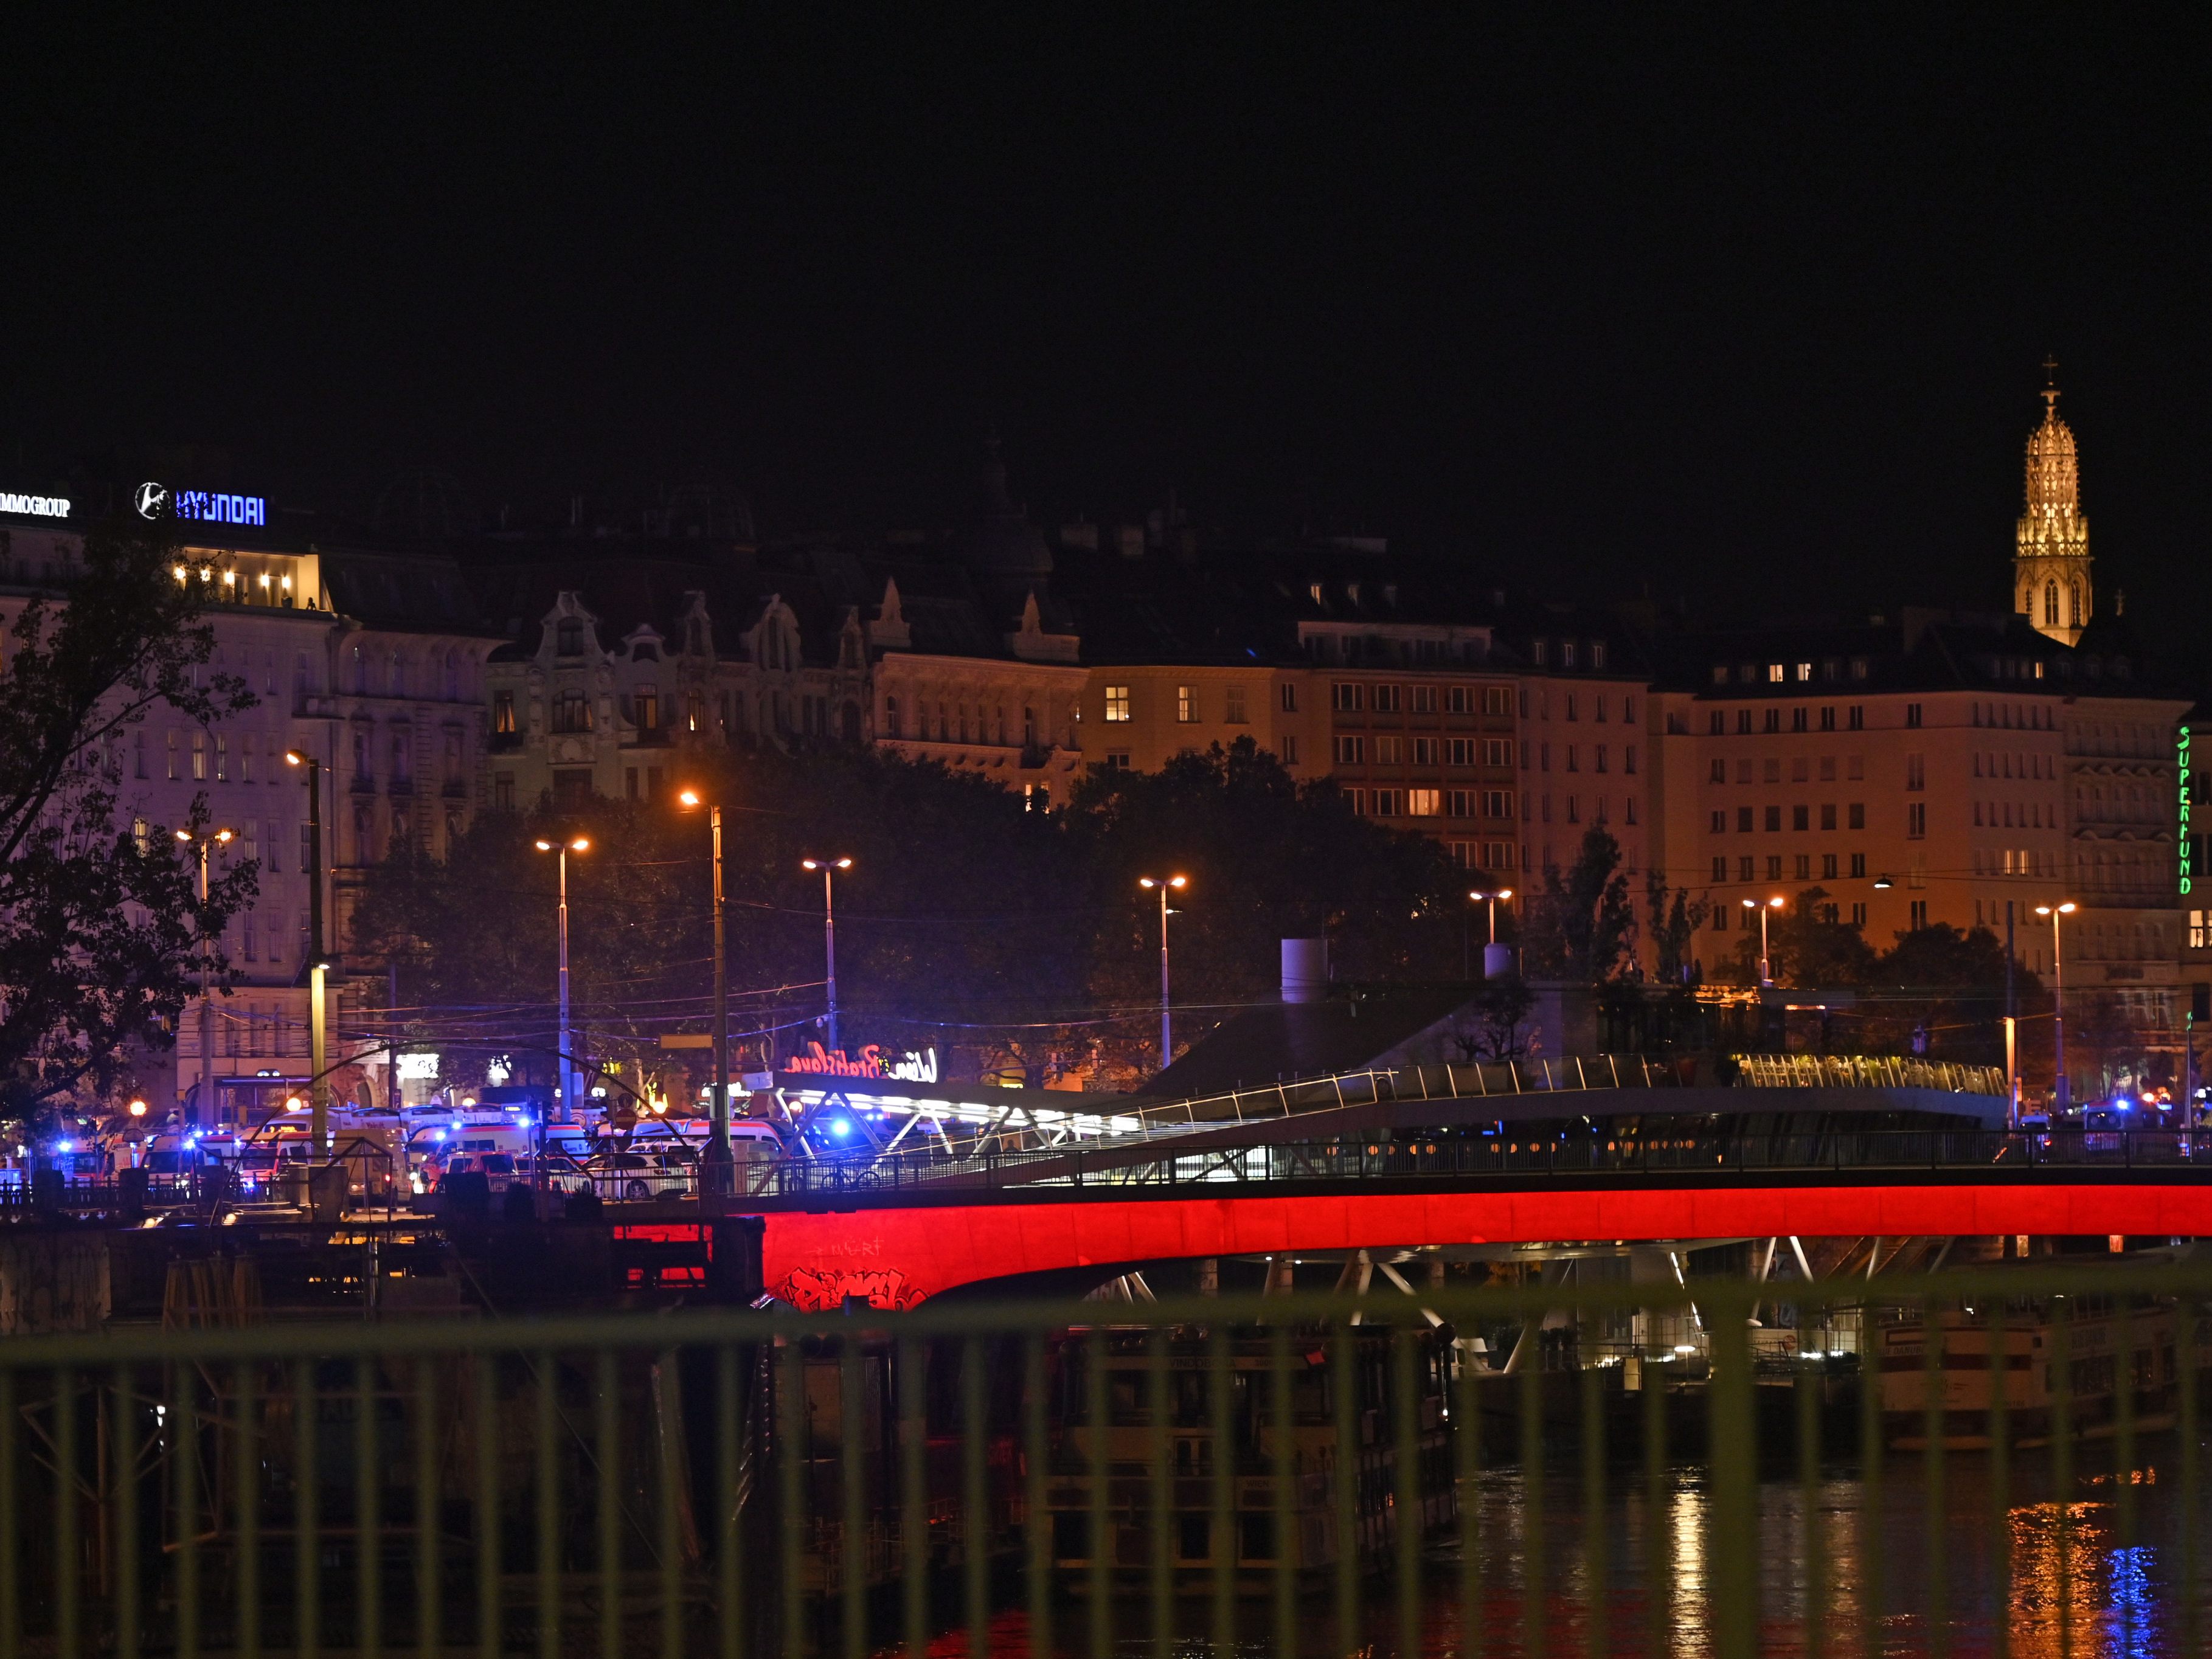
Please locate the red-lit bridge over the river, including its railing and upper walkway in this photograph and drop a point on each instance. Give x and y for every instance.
(1415, 1160)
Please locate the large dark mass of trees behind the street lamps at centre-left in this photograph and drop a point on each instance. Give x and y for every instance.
(966, 919)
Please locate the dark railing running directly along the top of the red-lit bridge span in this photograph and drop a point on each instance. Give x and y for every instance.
(1514, 1151)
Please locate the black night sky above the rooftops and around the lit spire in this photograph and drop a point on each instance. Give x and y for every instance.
(1738, 304)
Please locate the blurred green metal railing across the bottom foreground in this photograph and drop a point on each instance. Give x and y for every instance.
(2014, 1468)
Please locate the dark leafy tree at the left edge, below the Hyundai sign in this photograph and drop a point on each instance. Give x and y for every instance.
(101, 924)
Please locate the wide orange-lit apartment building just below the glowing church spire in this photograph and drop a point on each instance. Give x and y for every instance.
(1941, 771)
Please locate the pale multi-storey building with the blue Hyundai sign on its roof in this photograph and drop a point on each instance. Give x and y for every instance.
(353, 662)
